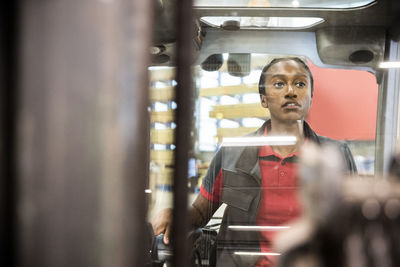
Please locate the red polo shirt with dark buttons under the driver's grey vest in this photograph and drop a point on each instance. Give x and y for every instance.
(279, 202)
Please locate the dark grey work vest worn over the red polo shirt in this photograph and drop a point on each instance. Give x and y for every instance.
(242, 194)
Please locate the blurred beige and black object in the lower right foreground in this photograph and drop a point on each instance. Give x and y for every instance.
(348, 221)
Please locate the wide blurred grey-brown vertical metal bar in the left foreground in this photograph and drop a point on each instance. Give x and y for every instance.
(83, 132)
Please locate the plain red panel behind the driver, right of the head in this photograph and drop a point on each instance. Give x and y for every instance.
(344, 105)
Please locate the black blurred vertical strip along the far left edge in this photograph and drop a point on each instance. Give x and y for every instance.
(8, 92)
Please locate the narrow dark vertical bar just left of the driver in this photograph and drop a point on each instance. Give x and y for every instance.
(184, 114)
